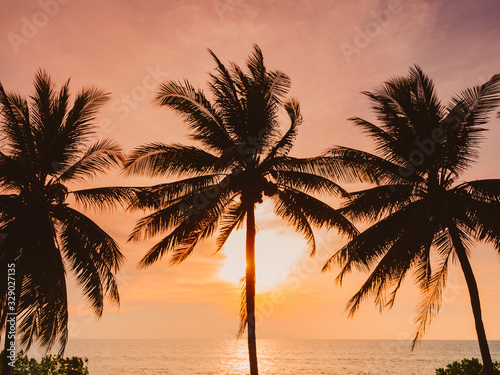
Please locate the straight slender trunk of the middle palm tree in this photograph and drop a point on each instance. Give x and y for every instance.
(250, 289)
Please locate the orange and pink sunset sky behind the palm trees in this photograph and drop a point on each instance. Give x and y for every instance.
(127, 47)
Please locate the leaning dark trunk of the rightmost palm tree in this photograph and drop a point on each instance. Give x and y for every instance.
(474, 299)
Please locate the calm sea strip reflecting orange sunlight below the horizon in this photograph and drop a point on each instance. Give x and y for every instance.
(276, 357)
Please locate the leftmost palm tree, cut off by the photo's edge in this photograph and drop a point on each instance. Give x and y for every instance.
(44, 149)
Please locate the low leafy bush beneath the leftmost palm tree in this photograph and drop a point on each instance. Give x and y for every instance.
(49, 365)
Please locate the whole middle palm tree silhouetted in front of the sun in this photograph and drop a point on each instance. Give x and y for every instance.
(243, 156)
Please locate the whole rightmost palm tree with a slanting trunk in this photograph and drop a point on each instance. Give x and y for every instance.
(423, 215)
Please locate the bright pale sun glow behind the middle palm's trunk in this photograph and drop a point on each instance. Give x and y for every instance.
(276, 251)
